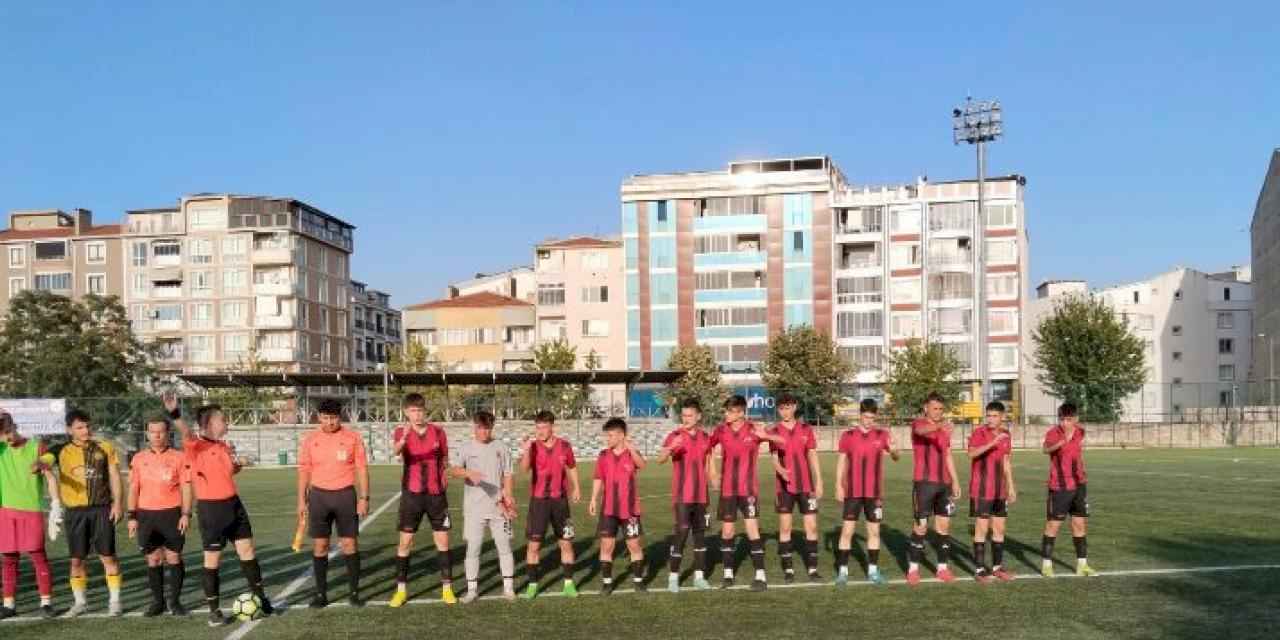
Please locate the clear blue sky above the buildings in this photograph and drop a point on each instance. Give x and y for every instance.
(455, 135)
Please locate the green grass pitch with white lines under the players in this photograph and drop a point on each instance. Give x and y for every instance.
(1188, 543)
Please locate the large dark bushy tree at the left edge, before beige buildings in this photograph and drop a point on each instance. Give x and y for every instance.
(57, 348)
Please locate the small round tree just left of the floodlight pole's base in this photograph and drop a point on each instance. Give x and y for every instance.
(918, 369)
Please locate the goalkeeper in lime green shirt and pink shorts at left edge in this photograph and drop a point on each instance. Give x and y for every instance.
(22, 529)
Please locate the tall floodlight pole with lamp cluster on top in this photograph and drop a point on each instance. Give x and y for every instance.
(979, 124)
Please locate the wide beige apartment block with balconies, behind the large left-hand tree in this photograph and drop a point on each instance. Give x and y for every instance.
(221, 276)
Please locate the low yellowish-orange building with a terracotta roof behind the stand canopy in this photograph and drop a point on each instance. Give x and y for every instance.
(478, 332)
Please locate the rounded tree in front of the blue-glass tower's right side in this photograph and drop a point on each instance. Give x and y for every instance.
(806, 363)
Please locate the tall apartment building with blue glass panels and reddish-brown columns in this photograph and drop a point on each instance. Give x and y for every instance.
(726, 258)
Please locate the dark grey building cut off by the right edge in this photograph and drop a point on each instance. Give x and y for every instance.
(1265, 241)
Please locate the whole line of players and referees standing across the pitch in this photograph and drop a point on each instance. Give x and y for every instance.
(333, 495)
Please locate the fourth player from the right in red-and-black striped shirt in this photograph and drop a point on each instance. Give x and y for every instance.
(861, 488)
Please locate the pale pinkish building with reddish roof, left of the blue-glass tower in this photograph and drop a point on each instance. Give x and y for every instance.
(580, 298)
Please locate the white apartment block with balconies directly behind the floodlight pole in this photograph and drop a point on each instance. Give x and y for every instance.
(907, 267)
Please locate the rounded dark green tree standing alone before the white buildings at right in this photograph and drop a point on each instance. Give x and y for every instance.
(1089, 356)
